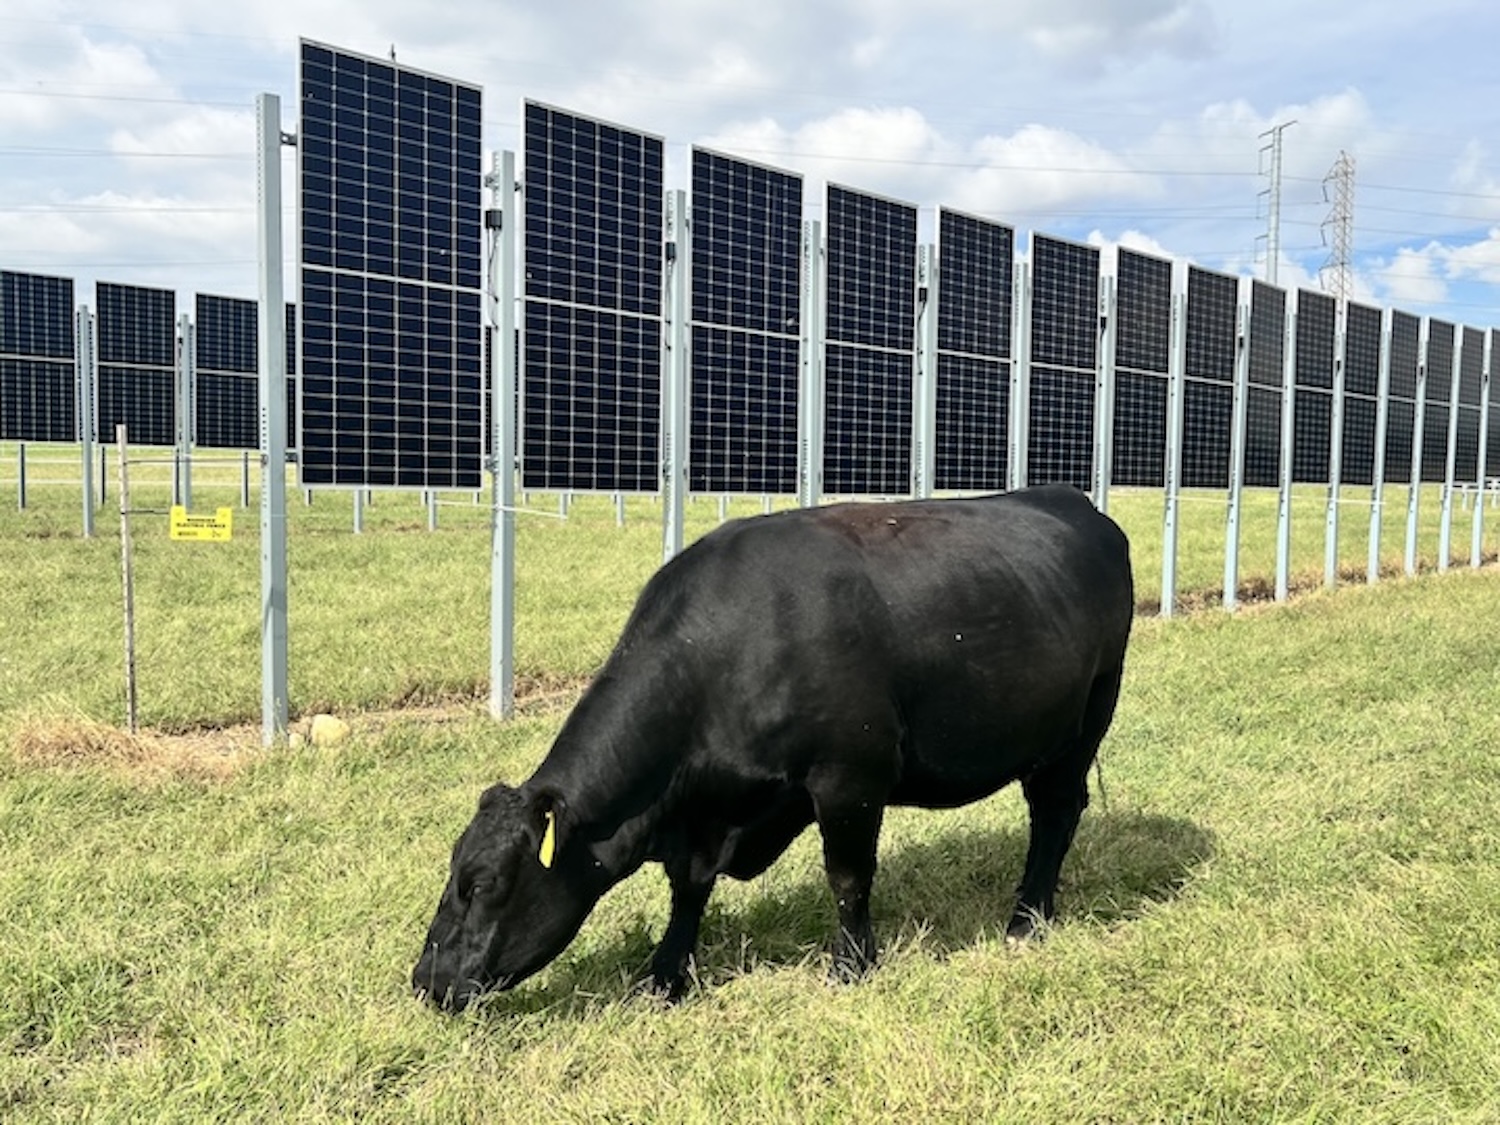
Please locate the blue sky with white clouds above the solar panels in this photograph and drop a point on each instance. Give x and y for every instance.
(128, 131)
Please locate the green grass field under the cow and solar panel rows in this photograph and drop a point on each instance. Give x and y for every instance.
(1282, 908)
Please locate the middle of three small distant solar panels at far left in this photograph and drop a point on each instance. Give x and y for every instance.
(137, 364)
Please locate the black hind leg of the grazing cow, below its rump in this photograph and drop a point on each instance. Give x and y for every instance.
(1058, 794)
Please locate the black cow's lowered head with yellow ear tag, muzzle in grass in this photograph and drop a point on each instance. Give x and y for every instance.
(515, 899)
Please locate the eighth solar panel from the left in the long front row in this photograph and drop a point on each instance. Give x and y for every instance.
(1208, 391)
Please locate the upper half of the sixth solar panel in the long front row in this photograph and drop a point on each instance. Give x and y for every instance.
(1066, 304)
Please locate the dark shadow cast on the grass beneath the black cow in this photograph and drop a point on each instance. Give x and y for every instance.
(955, 892)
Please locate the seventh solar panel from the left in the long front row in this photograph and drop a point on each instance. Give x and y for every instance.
(1142, 359)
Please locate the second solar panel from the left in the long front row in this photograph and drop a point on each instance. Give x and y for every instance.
(592, 259)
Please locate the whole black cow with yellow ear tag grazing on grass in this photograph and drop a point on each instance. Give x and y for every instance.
(811, 665)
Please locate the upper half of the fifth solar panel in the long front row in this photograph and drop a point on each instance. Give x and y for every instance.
(977, 265)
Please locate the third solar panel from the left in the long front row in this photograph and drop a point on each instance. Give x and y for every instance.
(746, 292)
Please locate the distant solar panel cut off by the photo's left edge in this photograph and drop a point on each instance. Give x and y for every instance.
(38, 380)
